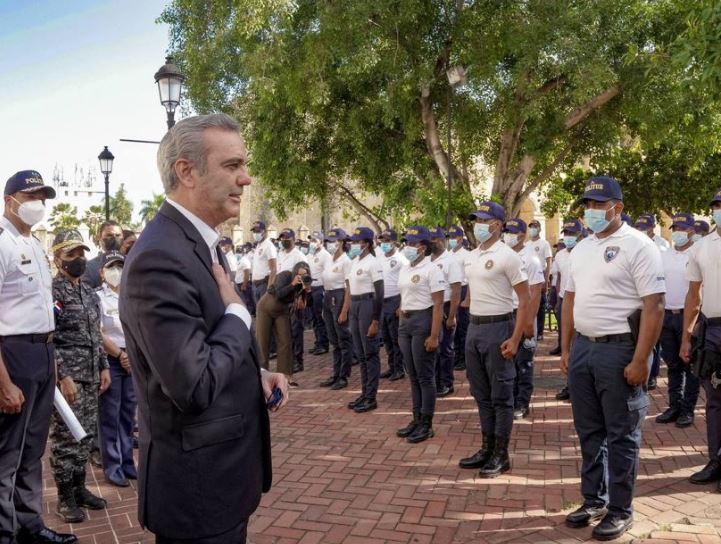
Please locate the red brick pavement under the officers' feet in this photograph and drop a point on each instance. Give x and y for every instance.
(341, 477)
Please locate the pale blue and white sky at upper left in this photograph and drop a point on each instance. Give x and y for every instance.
(77, 75)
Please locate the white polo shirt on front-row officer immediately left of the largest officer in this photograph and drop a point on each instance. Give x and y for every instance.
(492, 273)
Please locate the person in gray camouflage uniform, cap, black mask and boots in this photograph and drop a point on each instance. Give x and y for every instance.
(82, 375)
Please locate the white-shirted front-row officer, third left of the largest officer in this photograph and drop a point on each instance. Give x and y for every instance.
(362, 309)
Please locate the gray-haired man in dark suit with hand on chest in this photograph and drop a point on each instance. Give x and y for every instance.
(204, 429)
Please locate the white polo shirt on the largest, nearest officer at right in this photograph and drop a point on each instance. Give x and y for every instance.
(609, 277)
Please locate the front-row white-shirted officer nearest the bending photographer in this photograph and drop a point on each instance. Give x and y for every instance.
(334, 281)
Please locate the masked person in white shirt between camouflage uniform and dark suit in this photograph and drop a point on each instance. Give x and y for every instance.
(117, 405)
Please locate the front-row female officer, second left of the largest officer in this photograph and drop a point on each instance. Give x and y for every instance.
(422, 284)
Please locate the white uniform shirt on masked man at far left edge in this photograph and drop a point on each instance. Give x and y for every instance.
(26, 300)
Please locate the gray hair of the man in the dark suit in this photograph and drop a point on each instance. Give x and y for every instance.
(185, 141)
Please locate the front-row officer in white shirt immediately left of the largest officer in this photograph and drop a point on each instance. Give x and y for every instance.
(494, 273)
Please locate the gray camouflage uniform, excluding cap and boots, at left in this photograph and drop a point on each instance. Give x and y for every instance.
(79, 354)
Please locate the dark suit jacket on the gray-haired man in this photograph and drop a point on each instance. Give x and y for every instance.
(204, 430)
